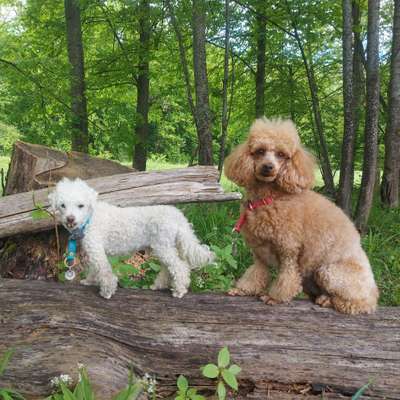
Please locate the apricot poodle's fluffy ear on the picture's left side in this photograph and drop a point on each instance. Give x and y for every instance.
(239, 166)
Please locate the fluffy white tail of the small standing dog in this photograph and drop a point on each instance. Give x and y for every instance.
(190, 249)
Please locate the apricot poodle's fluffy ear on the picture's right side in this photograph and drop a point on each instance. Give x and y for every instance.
(297, 173)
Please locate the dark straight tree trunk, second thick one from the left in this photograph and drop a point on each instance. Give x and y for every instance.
(143, 88)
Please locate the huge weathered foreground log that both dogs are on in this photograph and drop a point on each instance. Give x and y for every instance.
(283, 350)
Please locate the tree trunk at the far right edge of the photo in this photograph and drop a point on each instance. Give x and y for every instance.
(391, 173)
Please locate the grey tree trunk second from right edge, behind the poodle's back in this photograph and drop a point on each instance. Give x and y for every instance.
(371, 121)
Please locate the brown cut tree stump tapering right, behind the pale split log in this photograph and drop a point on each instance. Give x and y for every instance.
(35, 167)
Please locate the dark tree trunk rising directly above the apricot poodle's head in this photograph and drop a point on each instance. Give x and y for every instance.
(261, 28)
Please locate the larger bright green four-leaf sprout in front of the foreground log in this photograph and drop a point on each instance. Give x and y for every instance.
(224, 373)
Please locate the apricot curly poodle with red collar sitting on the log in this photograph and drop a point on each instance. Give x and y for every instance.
(314, 245)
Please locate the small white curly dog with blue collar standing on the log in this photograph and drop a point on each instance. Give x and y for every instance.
(109, 230)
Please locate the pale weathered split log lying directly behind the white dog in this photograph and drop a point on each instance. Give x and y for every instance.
(185, 185)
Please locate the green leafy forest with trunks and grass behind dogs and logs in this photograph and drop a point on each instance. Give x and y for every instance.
(166, 83)
